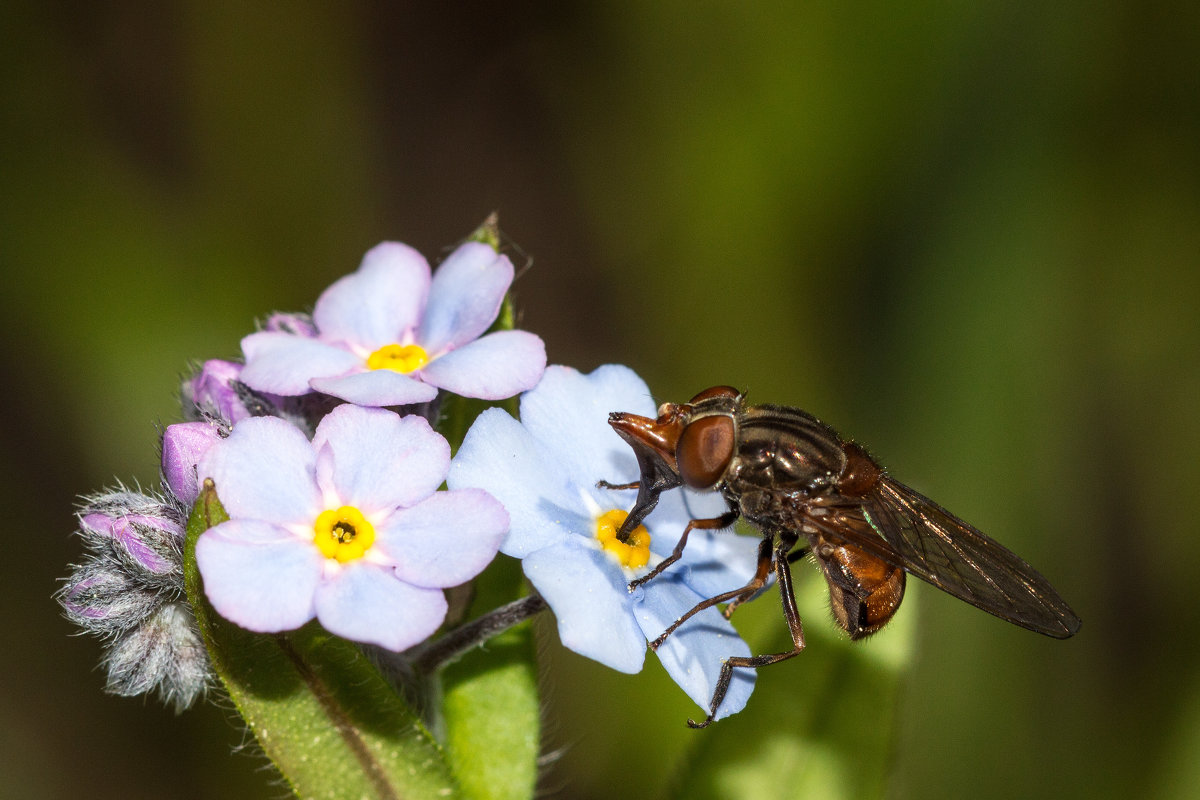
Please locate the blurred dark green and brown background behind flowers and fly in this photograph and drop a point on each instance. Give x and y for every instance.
(965, 234)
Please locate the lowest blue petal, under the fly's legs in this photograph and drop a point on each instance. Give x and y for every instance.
(694, 654)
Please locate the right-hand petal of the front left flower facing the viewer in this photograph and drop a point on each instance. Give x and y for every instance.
(445, 540)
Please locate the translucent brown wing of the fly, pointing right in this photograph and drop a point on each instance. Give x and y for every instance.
(938, 548)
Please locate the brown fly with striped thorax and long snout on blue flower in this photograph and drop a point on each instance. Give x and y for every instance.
(797, 480)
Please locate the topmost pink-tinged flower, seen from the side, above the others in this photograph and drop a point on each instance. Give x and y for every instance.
(392, 335)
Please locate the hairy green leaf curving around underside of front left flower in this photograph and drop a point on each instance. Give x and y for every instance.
(320, 709)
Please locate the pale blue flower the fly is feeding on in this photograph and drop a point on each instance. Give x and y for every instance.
(545, 471)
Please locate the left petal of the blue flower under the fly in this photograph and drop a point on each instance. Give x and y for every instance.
(501, 458)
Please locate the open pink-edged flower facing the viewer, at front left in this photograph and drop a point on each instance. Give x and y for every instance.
(349, 530)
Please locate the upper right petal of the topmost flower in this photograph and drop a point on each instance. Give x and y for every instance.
(466, 298)
